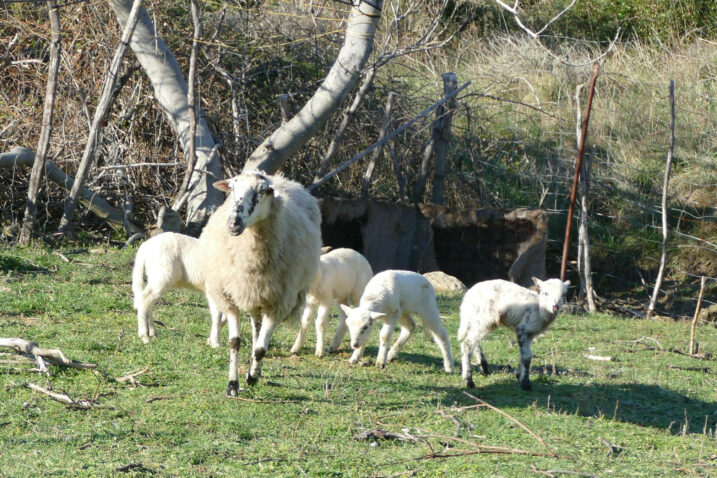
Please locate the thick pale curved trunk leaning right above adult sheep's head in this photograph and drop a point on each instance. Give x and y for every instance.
(288, 138)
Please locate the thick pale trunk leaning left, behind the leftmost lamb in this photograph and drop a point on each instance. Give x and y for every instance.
(171, 91)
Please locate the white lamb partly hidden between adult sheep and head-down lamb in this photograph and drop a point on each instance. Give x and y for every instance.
(342, 275)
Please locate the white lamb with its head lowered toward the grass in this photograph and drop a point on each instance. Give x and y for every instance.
(391, 297)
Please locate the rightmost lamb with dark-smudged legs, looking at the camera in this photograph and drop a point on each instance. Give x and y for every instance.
(498, 302)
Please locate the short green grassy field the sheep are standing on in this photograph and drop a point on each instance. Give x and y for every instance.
(648, 412)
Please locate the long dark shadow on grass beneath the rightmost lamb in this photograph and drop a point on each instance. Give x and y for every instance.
(645, 405)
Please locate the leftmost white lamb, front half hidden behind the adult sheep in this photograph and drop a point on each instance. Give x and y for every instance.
(168, 260)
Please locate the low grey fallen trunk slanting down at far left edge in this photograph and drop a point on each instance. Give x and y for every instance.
(98, 205)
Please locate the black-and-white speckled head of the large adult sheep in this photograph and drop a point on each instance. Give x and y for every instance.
(250, 195)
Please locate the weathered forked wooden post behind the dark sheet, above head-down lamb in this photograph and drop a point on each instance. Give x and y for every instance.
(438, 145)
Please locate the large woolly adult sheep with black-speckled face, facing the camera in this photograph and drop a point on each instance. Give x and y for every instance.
(261, 250)
